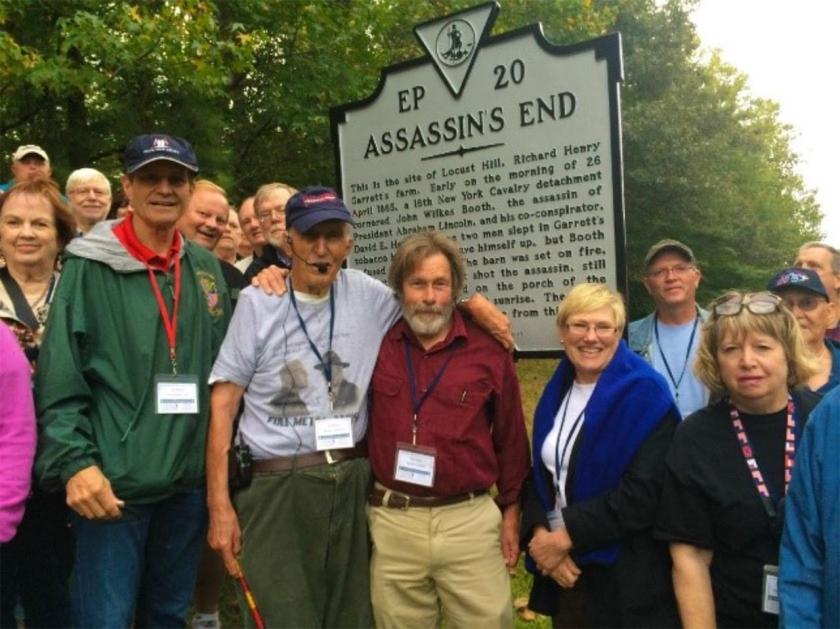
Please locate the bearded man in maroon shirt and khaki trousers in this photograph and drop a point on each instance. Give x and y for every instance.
(445, 426)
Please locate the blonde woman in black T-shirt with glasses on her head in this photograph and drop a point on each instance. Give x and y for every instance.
(730, 463)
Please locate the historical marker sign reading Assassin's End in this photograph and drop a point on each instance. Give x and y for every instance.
(508, 143)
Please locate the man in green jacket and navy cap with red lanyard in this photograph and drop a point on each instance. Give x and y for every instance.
(136, 322)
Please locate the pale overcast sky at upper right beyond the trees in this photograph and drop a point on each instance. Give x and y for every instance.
(789, 52)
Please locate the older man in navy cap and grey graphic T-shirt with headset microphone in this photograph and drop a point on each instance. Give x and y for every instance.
(301, 524)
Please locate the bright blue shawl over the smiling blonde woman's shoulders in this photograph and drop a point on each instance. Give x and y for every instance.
(629, 401)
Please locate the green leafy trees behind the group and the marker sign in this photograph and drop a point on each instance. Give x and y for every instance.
(250, 83)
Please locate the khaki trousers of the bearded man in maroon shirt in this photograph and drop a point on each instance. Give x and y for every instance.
(432, 560)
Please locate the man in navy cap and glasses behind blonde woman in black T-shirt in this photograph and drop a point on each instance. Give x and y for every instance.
(807, 298)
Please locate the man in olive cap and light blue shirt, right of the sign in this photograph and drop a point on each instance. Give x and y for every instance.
(668, 337)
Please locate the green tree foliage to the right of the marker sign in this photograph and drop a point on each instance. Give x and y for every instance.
(705, 161)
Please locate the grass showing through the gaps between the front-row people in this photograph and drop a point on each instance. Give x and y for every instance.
(533, 374)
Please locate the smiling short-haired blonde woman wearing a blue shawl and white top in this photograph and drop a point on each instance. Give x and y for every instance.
(601, 431)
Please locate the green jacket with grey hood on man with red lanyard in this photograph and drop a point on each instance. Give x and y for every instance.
(103, 345)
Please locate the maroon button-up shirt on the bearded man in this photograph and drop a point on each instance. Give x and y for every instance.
(473, 418)
